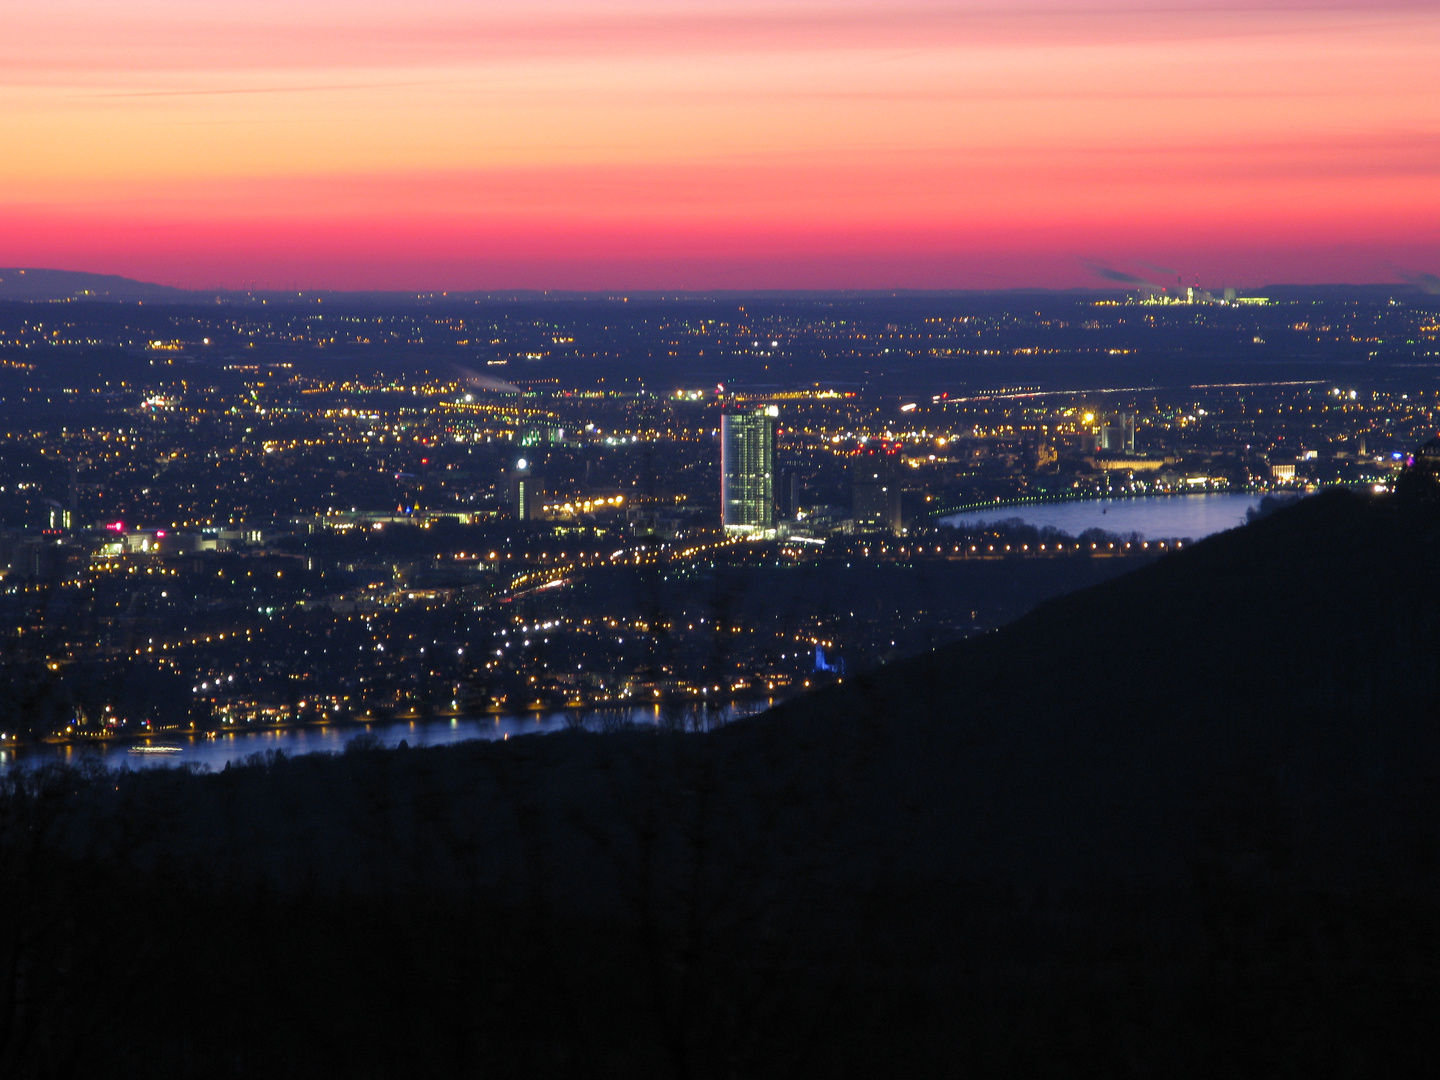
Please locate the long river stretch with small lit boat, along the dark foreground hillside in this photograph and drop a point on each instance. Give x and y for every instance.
(235, 747)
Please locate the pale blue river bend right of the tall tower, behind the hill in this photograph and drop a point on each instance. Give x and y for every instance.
(1154, 518)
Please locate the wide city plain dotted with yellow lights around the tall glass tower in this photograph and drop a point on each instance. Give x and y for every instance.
(585, 510)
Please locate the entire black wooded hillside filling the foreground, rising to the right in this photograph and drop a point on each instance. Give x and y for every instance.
(1182, 824)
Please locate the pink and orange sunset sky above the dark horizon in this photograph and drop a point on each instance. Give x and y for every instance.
(721, 143)
